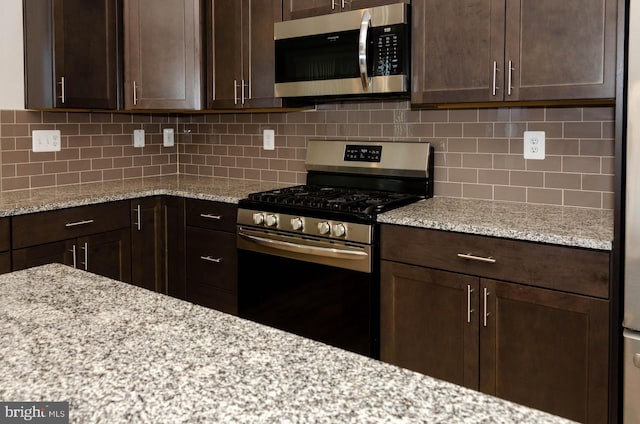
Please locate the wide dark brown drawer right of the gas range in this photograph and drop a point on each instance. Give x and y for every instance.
(568, 269)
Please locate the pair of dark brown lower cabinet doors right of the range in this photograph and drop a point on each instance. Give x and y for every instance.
(538, 347)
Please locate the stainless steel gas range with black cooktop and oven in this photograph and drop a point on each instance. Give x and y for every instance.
(308, 254)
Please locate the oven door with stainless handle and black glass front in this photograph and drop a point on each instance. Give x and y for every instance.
(298, 287)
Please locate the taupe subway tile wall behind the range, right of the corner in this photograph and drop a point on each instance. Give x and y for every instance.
(479, 152)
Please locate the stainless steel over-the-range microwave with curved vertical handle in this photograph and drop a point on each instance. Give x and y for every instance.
(360, 52)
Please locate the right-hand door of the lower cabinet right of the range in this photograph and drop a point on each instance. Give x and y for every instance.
(545, 349)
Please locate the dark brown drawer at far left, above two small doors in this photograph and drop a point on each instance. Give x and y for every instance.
(46, 227)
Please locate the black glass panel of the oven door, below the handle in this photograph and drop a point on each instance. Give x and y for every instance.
(332, 305)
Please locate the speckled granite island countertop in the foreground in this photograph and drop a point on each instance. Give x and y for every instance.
(121, 354)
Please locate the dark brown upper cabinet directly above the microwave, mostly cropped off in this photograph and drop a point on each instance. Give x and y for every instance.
(295, 9)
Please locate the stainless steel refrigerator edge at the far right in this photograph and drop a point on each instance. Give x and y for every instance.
(631, 322)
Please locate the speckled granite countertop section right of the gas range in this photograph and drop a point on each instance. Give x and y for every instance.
(568, 226)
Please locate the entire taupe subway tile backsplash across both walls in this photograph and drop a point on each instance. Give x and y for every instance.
(478, 151)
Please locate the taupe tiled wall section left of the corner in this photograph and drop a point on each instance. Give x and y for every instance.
(95, 147)
